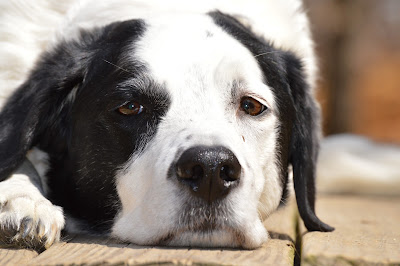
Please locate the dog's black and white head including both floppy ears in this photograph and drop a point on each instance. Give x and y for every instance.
(176, 132)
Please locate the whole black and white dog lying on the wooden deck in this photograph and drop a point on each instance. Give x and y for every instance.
(157, 122)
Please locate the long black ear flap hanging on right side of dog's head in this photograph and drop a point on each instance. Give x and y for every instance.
(304, 144)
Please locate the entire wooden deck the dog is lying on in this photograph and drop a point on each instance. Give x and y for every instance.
(367, 233)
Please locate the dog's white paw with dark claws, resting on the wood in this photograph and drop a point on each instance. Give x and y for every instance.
(29, 223)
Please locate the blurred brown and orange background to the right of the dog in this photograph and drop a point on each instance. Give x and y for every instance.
(358, 45)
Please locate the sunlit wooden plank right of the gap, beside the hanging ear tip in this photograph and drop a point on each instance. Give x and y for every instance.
(367, 232)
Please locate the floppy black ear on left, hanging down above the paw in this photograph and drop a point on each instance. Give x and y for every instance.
(37, 104)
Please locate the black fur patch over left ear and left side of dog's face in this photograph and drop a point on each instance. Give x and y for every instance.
(68, 108)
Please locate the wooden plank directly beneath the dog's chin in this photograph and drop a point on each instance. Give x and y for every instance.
(94, 251)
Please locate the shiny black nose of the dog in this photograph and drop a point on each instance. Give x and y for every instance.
(209, 172)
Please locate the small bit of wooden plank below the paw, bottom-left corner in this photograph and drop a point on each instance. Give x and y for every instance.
(16, 256)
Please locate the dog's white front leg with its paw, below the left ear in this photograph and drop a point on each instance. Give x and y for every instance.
(27, 218)
